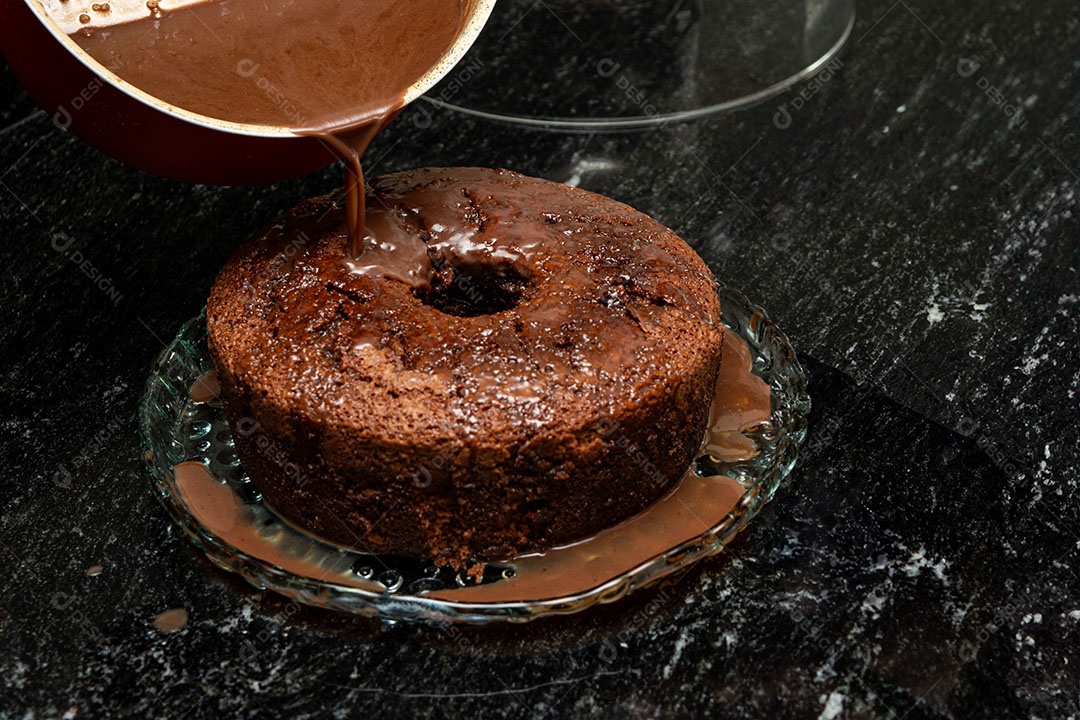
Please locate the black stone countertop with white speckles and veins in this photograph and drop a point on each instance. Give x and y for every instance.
(919, 246)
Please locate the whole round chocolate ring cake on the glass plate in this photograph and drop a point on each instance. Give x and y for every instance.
(509, 365)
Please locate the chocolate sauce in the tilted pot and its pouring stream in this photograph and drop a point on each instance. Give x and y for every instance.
(333, 70)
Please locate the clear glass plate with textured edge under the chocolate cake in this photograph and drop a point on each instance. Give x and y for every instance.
(188, 453)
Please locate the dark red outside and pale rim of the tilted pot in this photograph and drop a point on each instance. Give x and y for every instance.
(142, 131)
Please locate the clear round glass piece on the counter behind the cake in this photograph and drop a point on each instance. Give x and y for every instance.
(611, 64)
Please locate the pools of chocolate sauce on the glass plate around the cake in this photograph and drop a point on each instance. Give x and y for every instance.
(691, 510)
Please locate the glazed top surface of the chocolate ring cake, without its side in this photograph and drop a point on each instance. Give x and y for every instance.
(512, 302)
